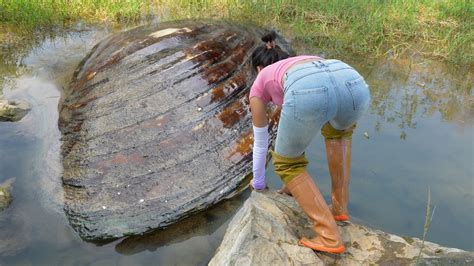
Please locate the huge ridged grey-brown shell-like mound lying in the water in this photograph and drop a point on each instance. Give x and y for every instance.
(156, 126)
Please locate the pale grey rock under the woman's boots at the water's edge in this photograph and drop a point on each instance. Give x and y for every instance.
(267, 228)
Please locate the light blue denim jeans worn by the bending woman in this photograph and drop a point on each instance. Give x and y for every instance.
(315, 93)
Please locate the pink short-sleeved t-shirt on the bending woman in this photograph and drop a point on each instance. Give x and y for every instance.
(268, 84)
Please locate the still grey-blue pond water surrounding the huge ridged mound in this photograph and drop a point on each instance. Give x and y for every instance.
(417, 136)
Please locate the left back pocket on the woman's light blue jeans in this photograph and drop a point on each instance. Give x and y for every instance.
(310, 104)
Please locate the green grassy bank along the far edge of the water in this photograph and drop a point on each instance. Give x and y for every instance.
(441, 29)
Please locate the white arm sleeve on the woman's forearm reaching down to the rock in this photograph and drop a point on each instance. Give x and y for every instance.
(260, 148)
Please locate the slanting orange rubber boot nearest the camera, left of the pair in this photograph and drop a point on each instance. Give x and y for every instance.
(307, 194)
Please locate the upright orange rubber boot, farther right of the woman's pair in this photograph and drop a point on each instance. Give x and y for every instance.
(339, 152)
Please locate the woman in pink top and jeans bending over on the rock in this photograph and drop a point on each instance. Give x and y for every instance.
(314, 94)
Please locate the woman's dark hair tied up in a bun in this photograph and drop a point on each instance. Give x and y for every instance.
(269, 53)
